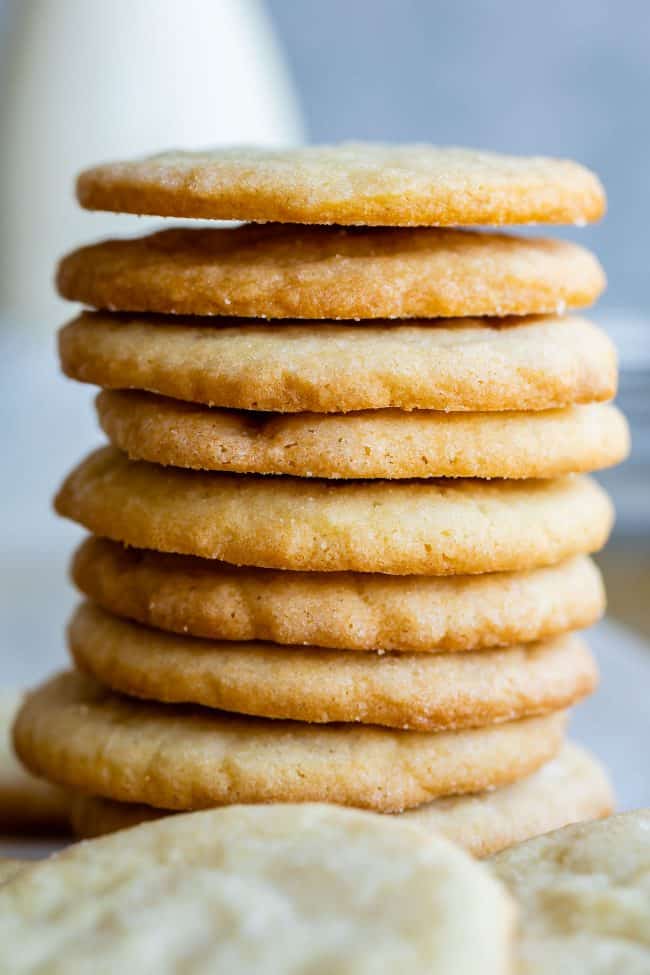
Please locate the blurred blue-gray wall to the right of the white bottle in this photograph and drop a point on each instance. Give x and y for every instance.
(566, 77)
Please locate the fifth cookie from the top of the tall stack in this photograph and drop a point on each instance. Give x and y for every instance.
(445, 527)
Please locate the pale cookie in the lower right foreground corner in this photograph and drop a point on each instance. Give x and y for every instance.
(584, 894)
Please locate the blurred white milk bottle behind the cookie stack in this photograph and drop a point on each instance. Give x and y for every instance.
(93, 80)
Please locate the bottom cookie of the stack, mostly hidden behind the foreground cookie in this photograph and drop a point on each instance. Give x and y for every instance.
(570, 788)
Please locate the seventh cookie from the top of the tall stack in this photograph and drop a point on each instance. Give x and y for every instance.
(426, 692)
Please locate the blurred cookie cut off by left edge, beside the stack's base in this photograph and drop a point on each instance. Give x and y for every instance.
(27, 805)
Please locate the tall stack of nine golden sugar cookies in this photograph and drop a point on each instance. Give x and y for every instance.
(341, 535)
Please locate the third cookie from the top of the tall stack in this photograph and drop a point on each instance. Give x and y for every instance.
(470, 364)
